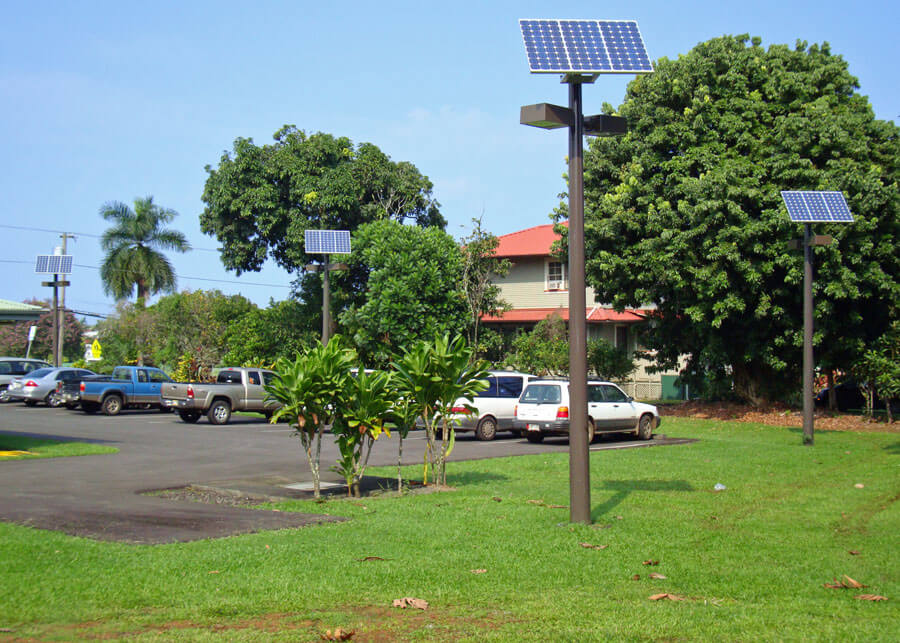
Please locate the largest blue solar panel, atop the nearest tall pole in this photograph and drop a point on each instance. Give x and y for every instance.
(585, 46)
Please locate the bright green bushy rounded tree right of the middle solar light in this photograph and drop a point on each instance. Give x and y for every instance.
(411, 278)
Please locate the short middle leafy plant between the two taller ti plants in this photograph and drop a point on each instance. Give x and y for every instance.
(366, 405)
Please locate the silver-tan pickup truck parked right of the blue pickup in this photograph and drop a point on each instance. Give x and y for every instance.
(235, 389)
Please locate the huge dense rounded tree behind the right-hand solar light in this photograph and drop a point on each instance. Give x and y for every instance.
(685, 212)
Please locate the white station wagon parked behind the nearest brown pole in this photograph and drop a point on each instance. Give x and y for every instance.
(543, 409)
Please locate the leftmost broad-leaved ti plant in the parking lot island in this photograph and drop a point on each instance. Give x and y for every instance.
(311, 390)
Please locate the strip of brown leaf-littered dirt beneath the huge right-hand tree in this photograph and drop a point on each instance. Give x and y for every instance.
(777, 415)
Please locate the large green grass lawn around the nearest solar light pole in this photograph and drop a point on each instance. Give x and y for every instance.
(750, 561)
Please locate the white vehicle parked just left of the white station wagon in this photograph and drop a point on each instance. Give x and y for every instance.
(495, 407)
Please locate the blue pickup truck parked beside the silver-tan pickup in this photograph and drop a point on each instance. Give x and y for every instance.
(129, 386)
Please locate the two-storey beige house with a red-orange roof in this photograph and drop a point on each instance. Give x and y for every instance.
(537, 286)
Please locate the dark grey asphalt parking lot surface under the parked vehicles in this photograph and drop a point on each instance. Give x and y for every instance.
(101, 496)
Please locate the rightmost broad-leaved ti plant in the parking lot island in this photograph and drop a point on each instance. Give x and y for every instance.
(433, 375)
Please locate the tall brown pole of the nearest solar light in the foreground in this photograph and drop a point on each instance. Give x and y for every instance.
(579, 460)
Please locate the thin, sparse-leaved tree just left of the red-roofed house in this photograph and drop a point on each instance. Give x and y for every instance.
(481, 266)
